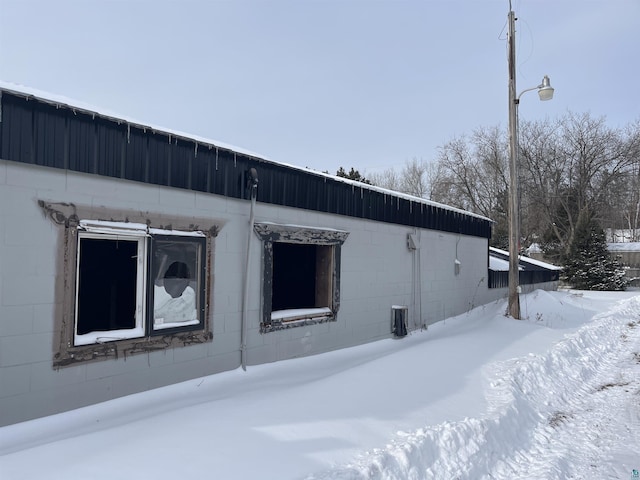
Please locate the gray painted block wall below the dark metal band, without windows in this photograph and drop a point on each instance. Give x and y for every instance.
(378, 271)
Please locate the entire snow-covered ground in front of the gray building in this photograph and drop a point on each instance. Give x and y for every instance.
(477, 396)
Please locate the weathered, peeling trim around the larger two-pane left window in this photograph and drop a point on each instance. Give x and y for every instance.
(66, 217)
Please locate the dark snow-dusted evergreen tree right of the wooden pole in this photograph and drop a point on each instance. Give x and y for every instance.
(588, 265)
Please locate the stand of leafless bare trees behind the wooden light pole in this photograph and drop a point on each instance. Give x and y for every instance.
(567, 166)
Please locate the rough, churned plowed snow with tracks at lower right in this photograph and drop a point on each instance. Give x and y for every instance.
(571, 413)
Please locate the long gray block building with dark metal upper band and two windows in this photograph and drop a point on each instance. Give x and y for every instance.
(134, 257)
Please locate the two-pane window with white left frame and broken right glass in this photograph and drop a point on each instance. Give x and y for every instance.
(130, 284)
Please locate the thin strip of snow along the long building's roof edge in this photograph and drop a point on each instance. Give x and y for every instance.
(72, 104)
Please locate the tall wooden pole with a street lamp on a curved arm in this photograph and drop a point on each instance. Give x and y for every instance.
(545, 92)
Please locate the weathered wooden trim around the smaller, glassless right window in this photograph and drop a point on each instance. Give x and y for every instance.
(271, 233)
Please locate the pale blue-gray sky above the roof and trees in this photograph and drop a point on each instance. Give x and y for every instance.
(322, 84)
